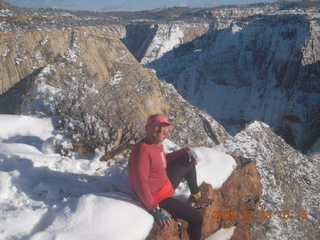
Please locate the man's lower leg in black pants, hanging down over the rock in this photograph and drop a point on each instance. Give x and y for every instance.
(181, 210)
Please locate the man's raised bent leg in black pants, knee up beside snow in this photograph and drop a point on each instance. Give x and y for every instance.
(183, 168)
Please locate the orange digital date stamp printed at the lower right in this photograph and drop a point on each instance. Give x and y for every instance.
(259, 214)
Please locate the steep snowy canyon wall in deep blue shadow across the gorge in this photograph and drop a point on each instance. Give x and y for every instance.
(247, 68)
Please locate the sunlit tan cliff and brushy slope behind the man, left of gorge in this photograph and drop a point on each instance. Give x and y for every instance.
(87, 76)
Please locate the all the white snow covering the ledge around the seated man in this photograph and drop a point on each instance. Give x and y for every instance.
(45, 195)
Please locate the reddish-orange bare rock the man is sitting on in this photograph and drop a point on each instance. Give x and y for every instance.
(235, 199)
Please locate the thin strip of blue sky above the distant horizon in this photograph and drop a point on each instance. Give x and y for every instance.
(125, 5)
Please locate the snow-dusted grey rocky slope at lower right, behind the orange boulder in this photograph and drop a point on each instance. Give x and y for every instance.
(290, 184)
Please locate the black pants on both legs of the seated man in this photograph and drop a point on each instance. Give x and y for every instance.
(178, 169)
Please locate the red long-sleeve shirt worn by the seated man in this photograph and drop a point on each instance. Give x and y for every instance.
(147, 172)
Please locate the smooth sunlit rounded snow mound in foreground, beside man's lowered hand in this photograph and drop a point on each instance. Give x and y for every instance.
(93, 214)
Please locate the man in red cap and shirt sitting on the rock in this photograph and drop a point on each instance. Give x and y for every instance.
(154, 175)
